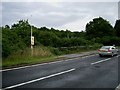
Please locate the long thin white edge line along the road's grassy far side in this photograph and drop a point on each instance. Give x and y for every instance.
(43, 64)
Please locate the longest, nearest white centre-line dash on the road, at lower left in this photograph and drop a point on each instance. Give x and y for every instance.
(40, 79)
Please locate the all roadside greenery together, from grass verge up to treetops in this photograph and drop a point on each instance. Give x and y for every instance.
(51, 43)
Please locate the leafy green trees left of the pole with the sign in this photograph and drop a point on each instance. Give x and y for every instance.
(15, 38)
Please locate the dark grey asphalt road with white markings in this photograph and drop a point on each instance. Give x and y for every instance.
(82, 72)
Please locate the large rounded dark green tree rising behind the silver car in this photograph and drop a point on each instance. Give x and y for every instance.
(99, 27)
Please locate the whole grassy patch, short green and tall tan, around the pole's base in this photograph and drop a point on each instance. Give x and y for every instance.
(23, 57)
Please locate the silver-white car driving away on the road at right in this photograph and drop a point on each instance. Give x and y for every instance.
(108, 50)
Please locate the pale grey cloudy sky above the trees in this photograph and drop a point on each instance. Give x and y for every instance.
(58, 14)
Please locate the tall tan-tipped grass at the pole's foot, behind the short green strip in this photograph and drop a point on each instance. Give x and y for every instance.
(38, 52)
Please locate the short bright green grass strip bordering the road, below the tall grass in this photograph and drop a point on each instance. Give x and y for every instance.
(22, 61)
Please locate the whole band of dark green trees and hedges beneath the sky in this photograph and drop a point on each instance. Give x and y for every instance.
(98, 31)
